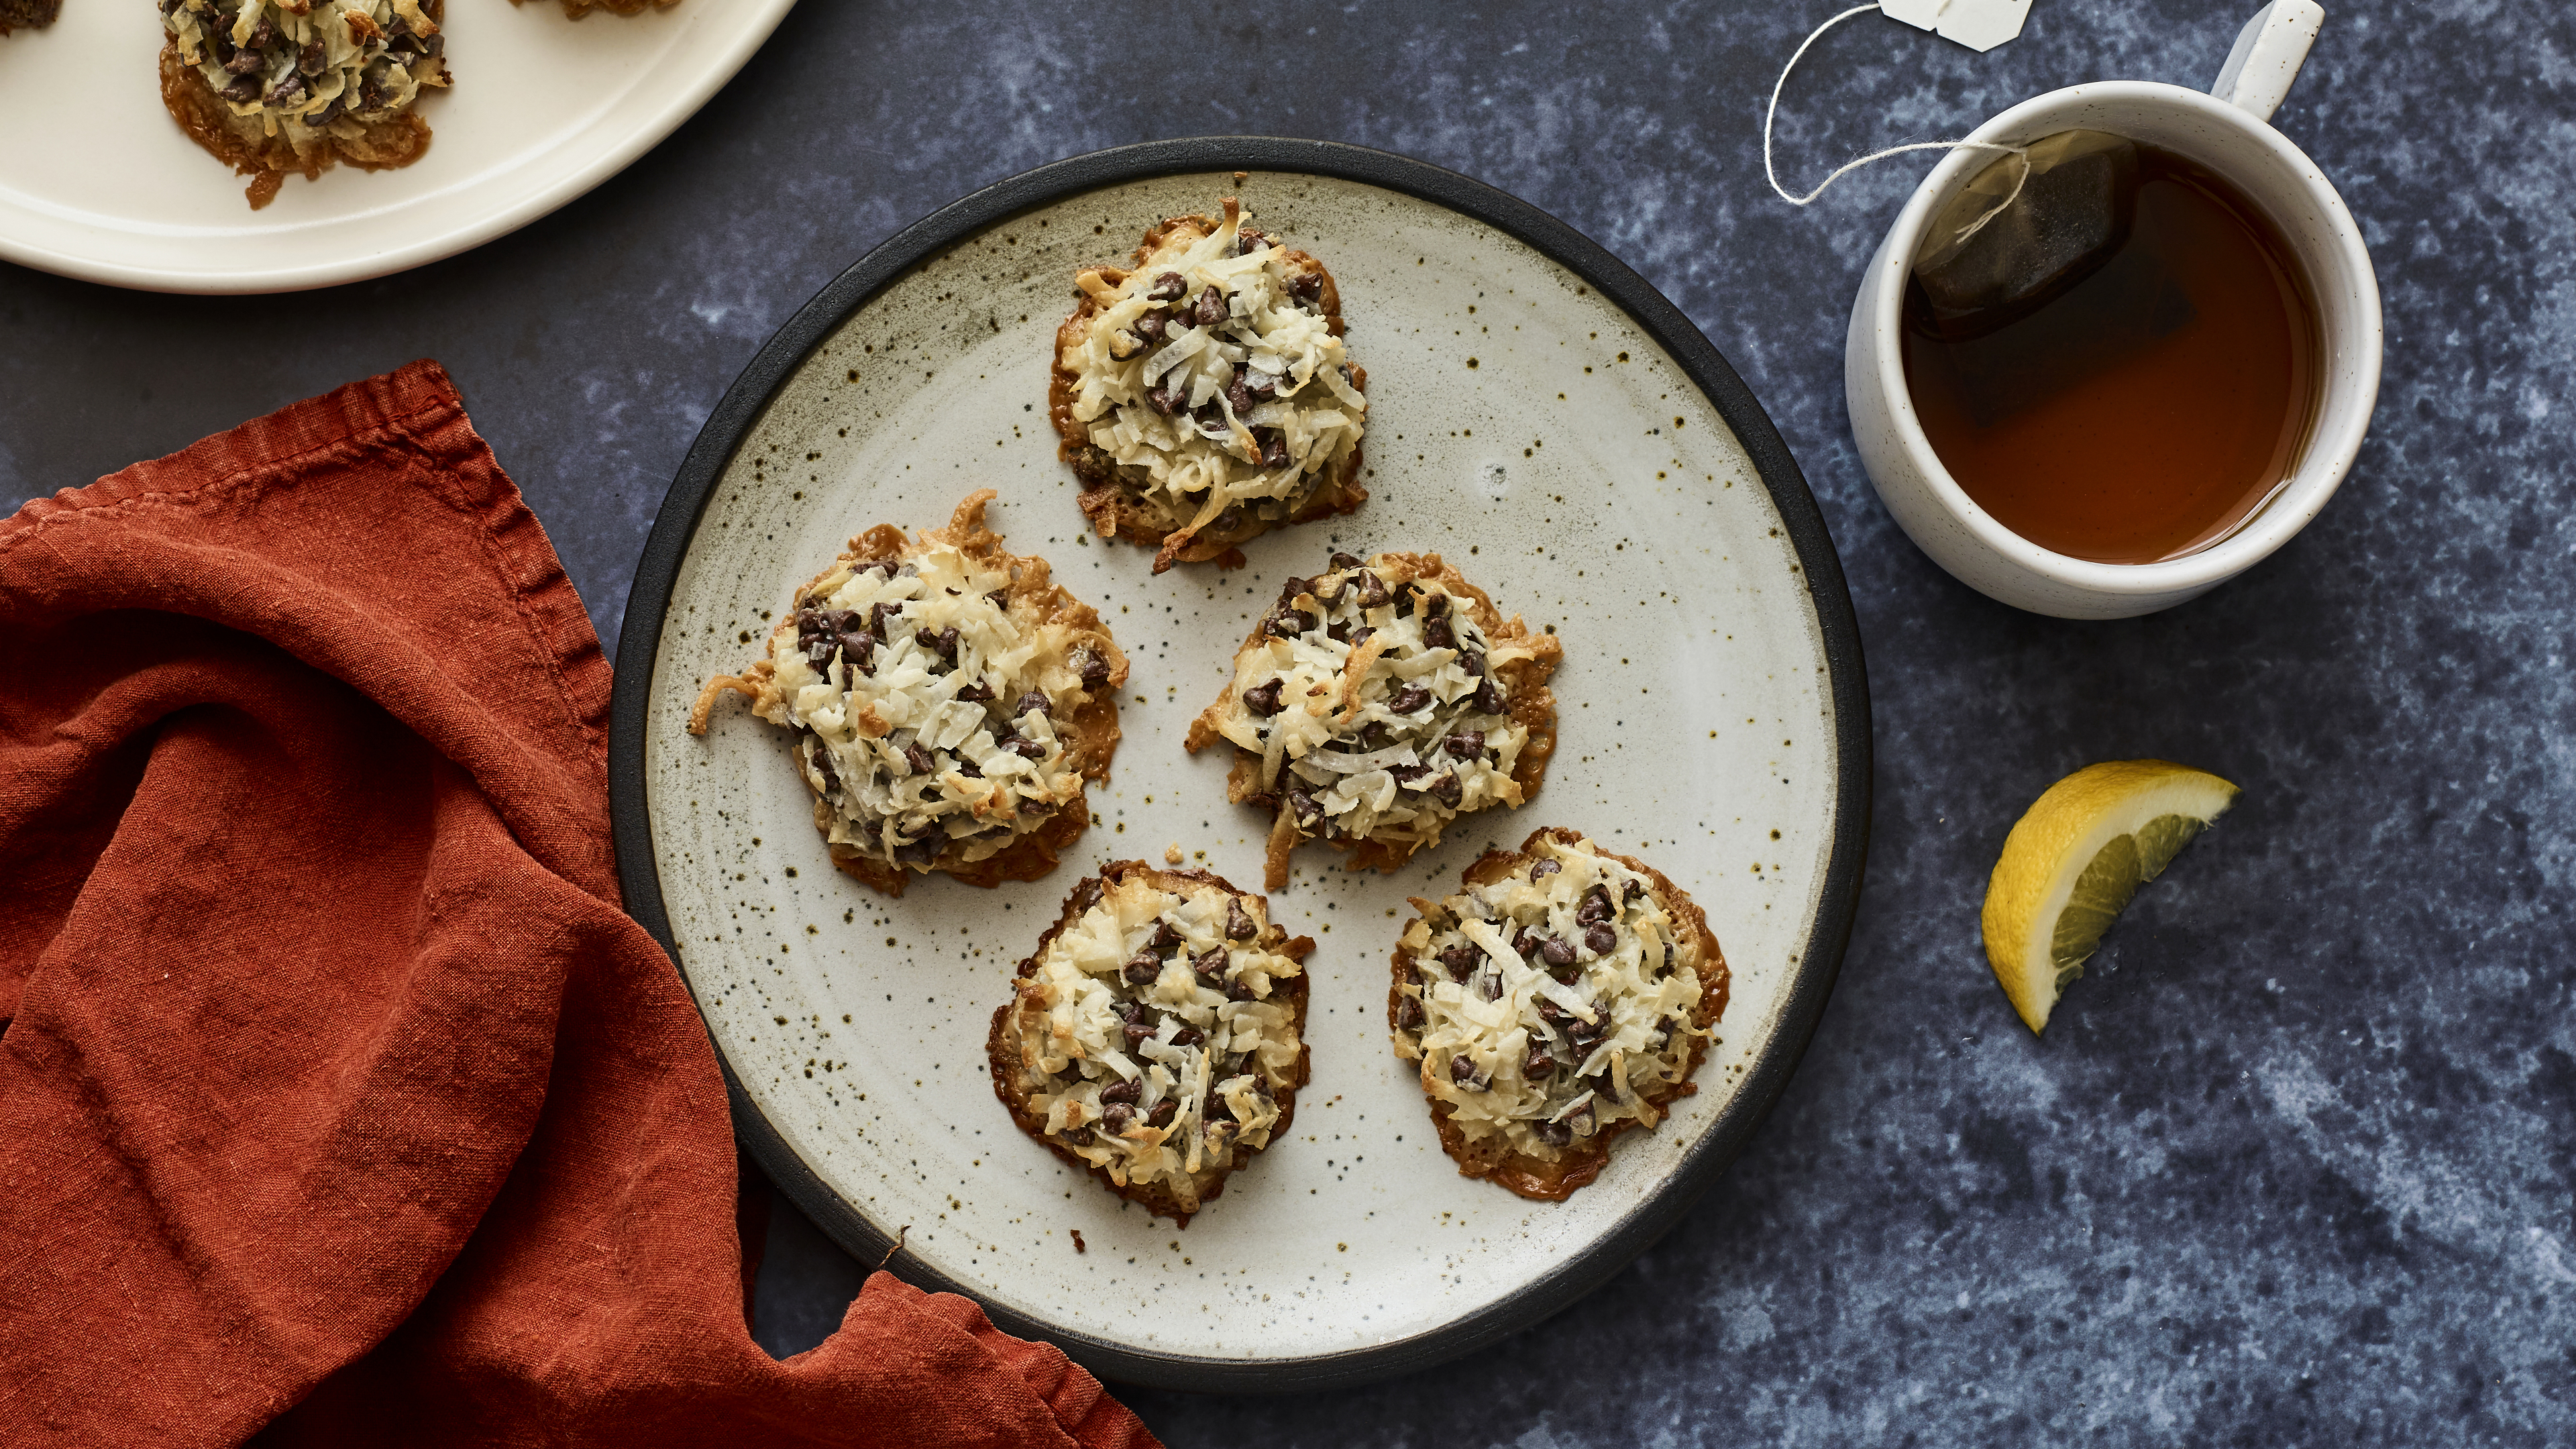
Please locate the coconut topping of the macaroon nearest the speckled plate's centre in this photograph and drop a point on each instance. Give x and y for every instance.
(1374, 708)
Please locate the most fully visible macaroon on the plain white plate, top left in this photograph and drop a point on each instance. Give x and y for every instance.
(277, 86)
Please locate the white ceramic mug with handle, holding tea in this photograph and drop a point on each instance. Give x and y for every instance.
(2232, 138)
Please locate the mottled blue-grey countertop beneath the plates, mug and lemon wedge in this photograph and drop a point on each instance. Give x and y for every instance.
(2294, 1164)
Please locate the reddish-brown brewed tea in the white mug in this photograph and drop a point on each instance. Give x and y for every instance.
(2155, 401)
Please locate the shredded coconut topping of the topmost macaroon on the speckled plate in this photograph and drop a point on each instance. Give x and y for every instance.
(1215, 370)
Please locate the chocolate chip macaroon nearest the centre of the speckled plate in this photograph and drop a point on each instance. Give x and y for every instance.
(1379, 703)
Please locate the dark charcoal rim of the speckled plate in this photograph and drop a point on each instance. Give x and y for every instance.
(1815, 973)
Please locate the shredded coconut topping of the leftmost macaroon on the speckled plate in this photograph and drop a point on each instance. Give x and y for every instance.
(929, 710)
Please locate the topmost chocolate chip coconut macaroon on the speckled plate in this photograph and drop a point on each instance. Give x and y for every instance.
(1204, 393)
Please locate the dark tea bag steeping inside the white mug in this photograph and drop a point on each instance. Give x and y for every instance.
(2026, 231)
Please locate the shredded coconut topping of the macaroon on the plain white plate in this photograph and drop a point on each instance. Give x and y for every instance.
(326, 66)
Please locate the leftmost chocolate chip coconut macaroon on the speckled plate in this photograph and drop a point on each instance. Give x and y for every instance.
(949, 705)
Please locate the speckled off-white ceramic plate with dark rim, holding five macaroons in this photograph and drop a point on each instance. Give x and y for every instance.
(1537, 414)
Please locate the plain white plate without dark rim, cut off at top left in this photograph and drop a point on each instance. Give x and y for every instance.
(542, 112)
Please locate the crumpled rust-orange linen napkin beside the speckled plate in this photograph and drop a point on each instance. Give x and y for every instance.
(339, 1100)
